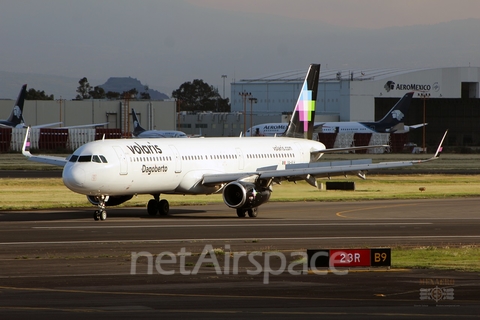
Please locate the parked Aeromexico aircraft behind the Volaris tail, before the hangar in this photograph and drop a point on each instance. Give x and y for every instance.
(392, 122)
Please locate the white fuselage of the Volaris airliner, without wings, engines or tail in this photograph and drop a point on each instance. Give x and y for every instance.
(131, 166)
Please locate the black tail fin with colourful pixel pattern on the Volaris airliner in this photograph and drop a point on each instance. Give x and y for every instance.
(303, 117)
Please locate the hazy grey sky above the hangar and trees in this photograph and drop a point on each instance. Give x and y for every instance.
(164, 43)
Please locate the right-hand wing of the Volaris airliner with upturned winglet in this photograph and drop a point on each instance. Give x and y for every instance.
(311, 171)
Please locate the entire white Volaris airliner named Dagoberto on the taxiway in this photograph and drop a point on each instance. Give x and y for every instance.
(110, 172)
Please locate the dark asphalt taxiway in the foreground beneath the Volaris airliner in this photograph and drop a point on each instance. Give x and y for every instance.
(63, 263)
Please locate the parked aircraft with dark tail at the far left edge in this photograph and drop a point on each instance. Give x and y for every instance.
(16, 119)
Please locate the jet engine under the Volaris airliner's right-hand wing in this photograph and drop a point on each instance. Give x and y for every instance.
(243, 195)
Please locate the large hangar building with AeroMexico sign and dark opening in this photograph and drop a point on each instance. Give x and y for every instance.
(449, 97)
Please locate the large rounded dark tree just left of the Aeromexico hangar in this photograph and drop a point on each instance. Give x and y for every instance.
(199, 96)
